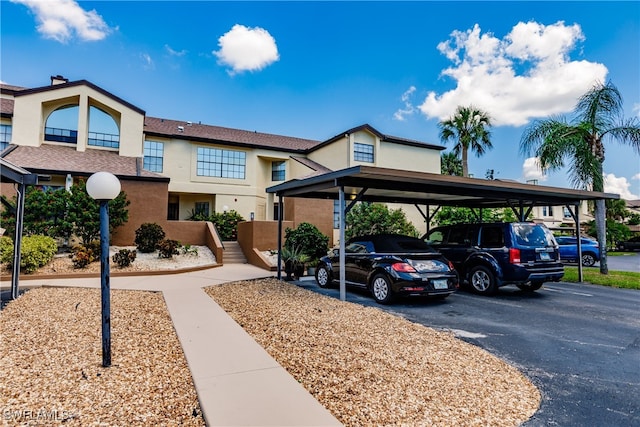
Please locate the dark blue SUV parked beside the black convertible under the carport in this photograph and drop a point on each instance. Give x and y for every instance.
(490, 255)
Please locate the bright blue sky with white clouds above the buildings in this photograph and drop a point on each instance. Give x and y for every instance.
(315, 69)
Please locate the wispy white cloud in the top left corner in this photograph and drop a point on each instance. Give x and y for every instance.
(60, 20)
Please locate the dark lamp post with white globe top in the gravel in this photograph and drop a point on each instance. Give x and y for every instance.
(103, 186)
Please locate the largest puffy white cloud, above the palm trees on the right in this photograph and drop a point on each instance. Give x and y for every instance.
(527, 74)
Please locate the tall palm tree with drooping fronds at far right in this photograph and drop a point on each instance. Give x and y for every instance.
(598, 117)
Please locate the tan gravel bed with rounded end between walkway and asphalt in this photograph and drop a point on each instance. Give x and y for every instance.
(370, 368)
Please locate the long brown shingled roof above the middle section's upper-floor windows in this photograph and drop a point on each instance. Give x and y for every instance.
(206, 133)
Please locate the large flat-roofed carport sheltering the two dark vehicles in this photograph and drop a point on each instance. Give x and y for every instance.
(373, 184)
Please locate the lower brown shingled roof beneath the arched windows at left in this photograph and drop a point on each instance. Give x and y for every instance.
(57, 160)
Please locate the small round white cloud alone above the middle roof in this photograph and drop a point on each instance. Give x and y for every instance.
(246, 49)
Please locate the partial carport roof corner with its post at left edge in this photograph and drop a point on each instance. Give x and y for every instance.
(20, 178)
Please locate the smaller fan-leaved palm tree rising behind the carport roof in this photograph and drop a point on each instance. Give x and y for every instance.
(468, 128)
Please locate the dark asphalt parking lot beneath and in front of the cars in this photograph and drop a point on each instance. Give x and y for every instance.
(578, 343)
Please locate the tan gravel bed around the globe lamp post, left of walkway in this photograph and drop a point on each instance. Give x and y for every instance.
(51, 364)
